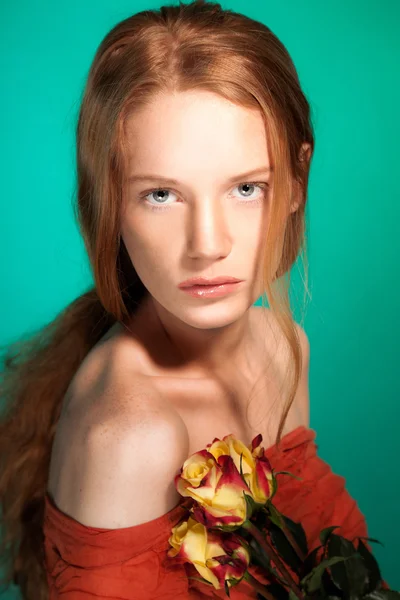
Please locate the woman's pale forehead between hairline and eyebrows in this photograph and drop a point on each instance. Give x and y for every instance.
(196, 129)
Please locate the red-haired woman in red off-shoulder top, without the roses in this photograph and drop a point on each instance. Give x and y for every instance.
(194, 144)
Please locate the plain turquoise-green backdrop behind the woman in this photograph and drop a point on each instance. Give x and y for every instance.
(347, 56)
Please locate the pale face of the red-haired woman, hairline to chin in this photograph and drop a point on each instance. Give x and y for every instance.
(211, 220)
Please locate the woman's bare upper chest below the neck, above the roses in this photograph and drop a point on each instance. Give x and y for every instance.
(234, 404)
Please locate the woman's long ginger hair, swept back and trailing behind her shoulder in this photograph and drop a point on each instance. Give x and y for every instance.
(176, 48)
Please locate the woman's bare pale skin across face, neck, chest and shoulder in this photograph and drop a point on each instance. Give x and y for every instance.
(184, 373)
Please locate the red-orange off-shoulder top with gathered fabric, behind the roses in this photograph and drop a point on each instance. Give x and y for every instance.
(88, 563)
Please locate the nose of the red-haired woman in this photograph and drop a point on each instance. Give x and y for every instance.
(208, 232)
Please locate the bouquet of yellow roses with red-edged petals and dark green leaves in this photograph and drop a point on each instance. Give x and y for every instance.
(233, 531)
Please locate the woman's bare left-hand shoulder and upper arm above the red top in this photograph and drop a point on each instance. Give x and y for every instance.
(117, 448)
